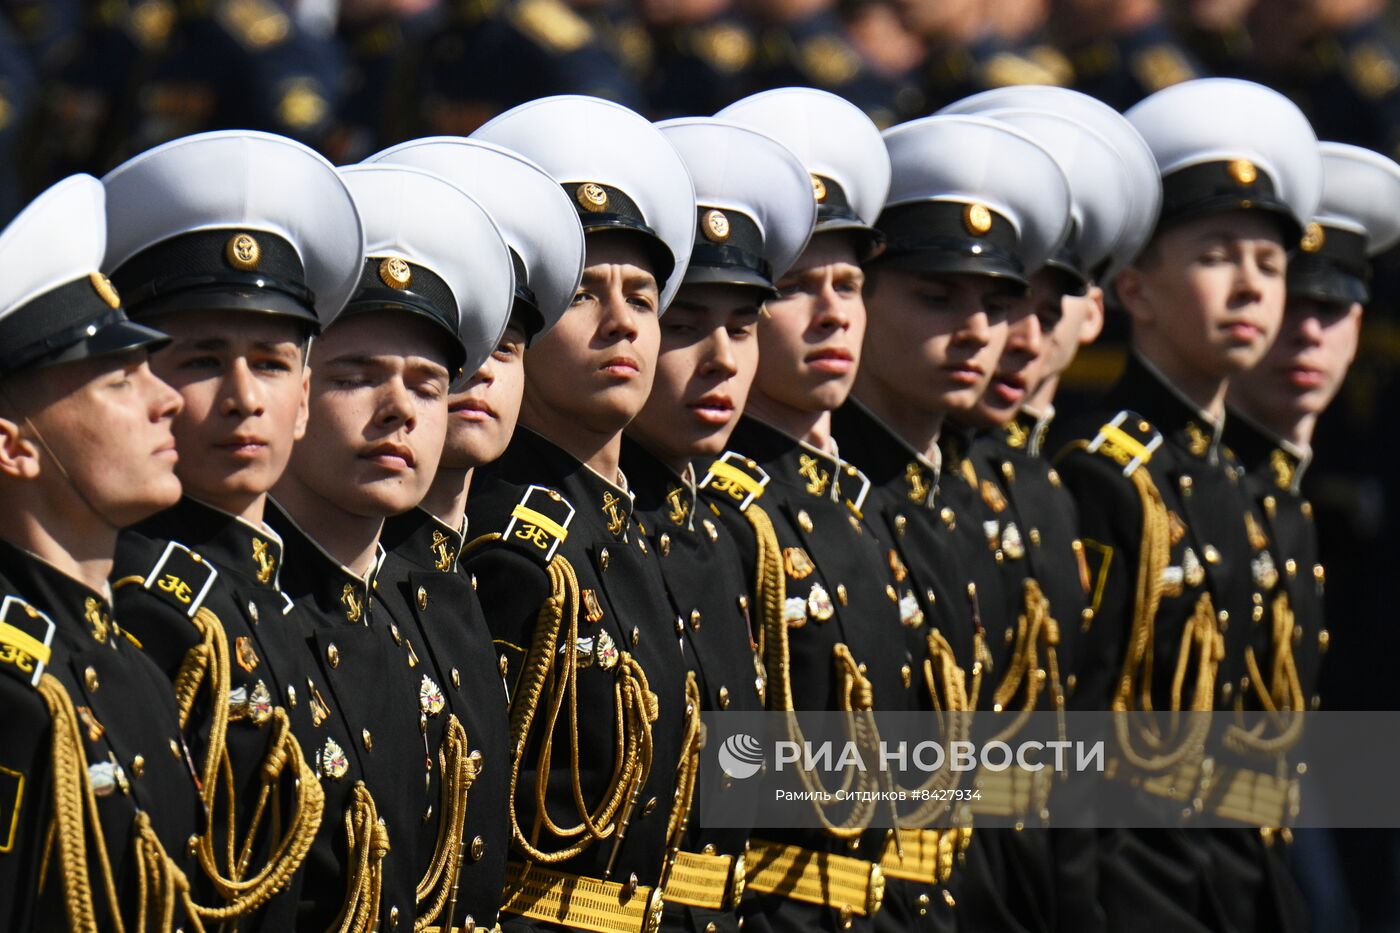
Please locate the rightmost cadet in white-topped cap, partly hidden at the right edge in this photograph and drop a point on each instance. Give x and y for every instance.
(1277, 404)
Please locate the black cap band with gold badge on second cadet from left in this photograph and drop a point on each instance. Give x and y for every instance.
(187, 271)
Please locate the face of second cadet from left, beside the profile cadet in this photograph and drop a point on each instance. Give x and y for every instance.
(246, 401)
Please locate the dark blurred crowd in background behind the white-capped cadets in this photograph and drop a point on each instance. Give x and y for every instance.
(85, 85)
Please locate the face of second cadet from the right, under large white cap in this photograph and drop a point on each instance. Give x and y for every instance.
(1213, 295)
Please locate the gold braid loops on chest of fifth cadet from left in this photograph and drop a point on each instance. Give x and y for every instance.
(636, 711)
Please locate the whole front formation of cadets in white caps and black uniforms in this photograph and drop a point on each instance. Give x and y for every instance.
(380, 533)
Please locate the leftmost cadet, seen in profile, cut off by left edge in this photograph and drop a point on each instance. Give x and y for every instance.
(99, 794)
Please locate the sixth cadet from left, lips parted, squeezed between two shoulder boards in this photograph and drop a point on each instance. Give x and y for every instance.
(754, 216)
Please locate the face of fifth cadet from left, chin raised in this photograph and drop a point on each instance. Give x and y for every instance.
(597, 365)
